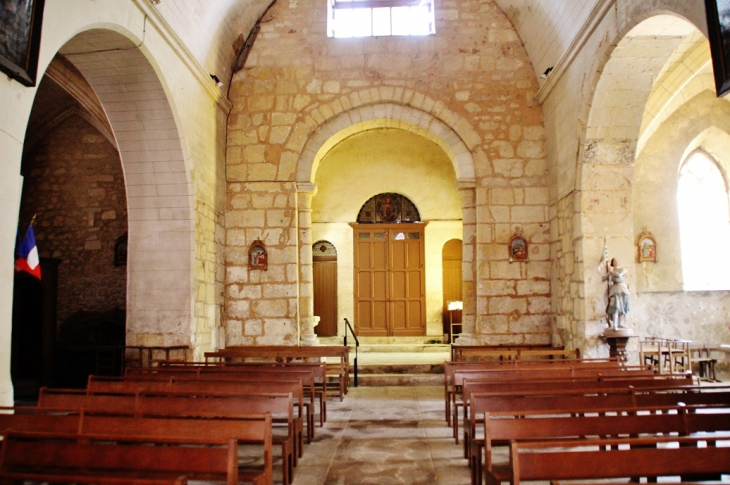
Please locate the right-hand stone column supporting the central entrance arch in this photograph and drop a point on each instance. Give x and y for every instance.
(468, 336)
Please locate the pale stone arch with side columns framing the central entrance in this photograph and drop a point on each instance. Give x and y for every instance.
(391, 115)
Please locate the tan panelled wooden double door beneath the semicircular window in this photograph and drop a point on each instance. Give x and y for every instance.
(390, 280)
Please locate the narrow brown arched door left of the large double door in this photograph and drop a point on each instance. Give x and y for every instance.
(324, 275)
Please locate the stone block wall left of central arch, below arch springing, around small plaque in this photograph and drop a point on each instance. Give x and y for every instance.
(261, 306)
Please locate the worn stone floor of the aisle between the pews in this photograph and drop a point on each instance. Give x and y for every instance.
(383, 436)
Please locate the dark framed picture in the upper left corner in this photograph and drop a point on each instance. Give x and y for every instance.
(20, 38)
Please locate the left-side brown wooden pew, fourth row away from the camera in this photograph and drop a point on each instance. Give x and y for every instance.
(242, 385)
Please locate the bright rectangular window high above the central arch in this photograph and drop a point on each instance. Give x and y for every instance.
(374, 18)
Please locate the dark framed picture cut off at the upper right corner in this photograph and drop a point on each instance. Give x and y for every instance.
(718, 30)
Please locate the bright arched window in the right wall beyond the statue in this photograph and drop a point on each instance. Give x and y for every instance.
(704, 224)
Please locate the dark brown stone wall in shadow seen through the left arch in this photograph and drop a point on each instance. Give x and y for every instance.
(74, 183)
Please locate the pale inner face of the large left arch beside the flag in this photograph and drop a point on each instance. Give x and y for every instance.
(158, 185)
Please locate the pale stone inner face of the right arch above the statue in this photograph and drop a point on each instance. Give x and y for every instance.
(616, 119)
